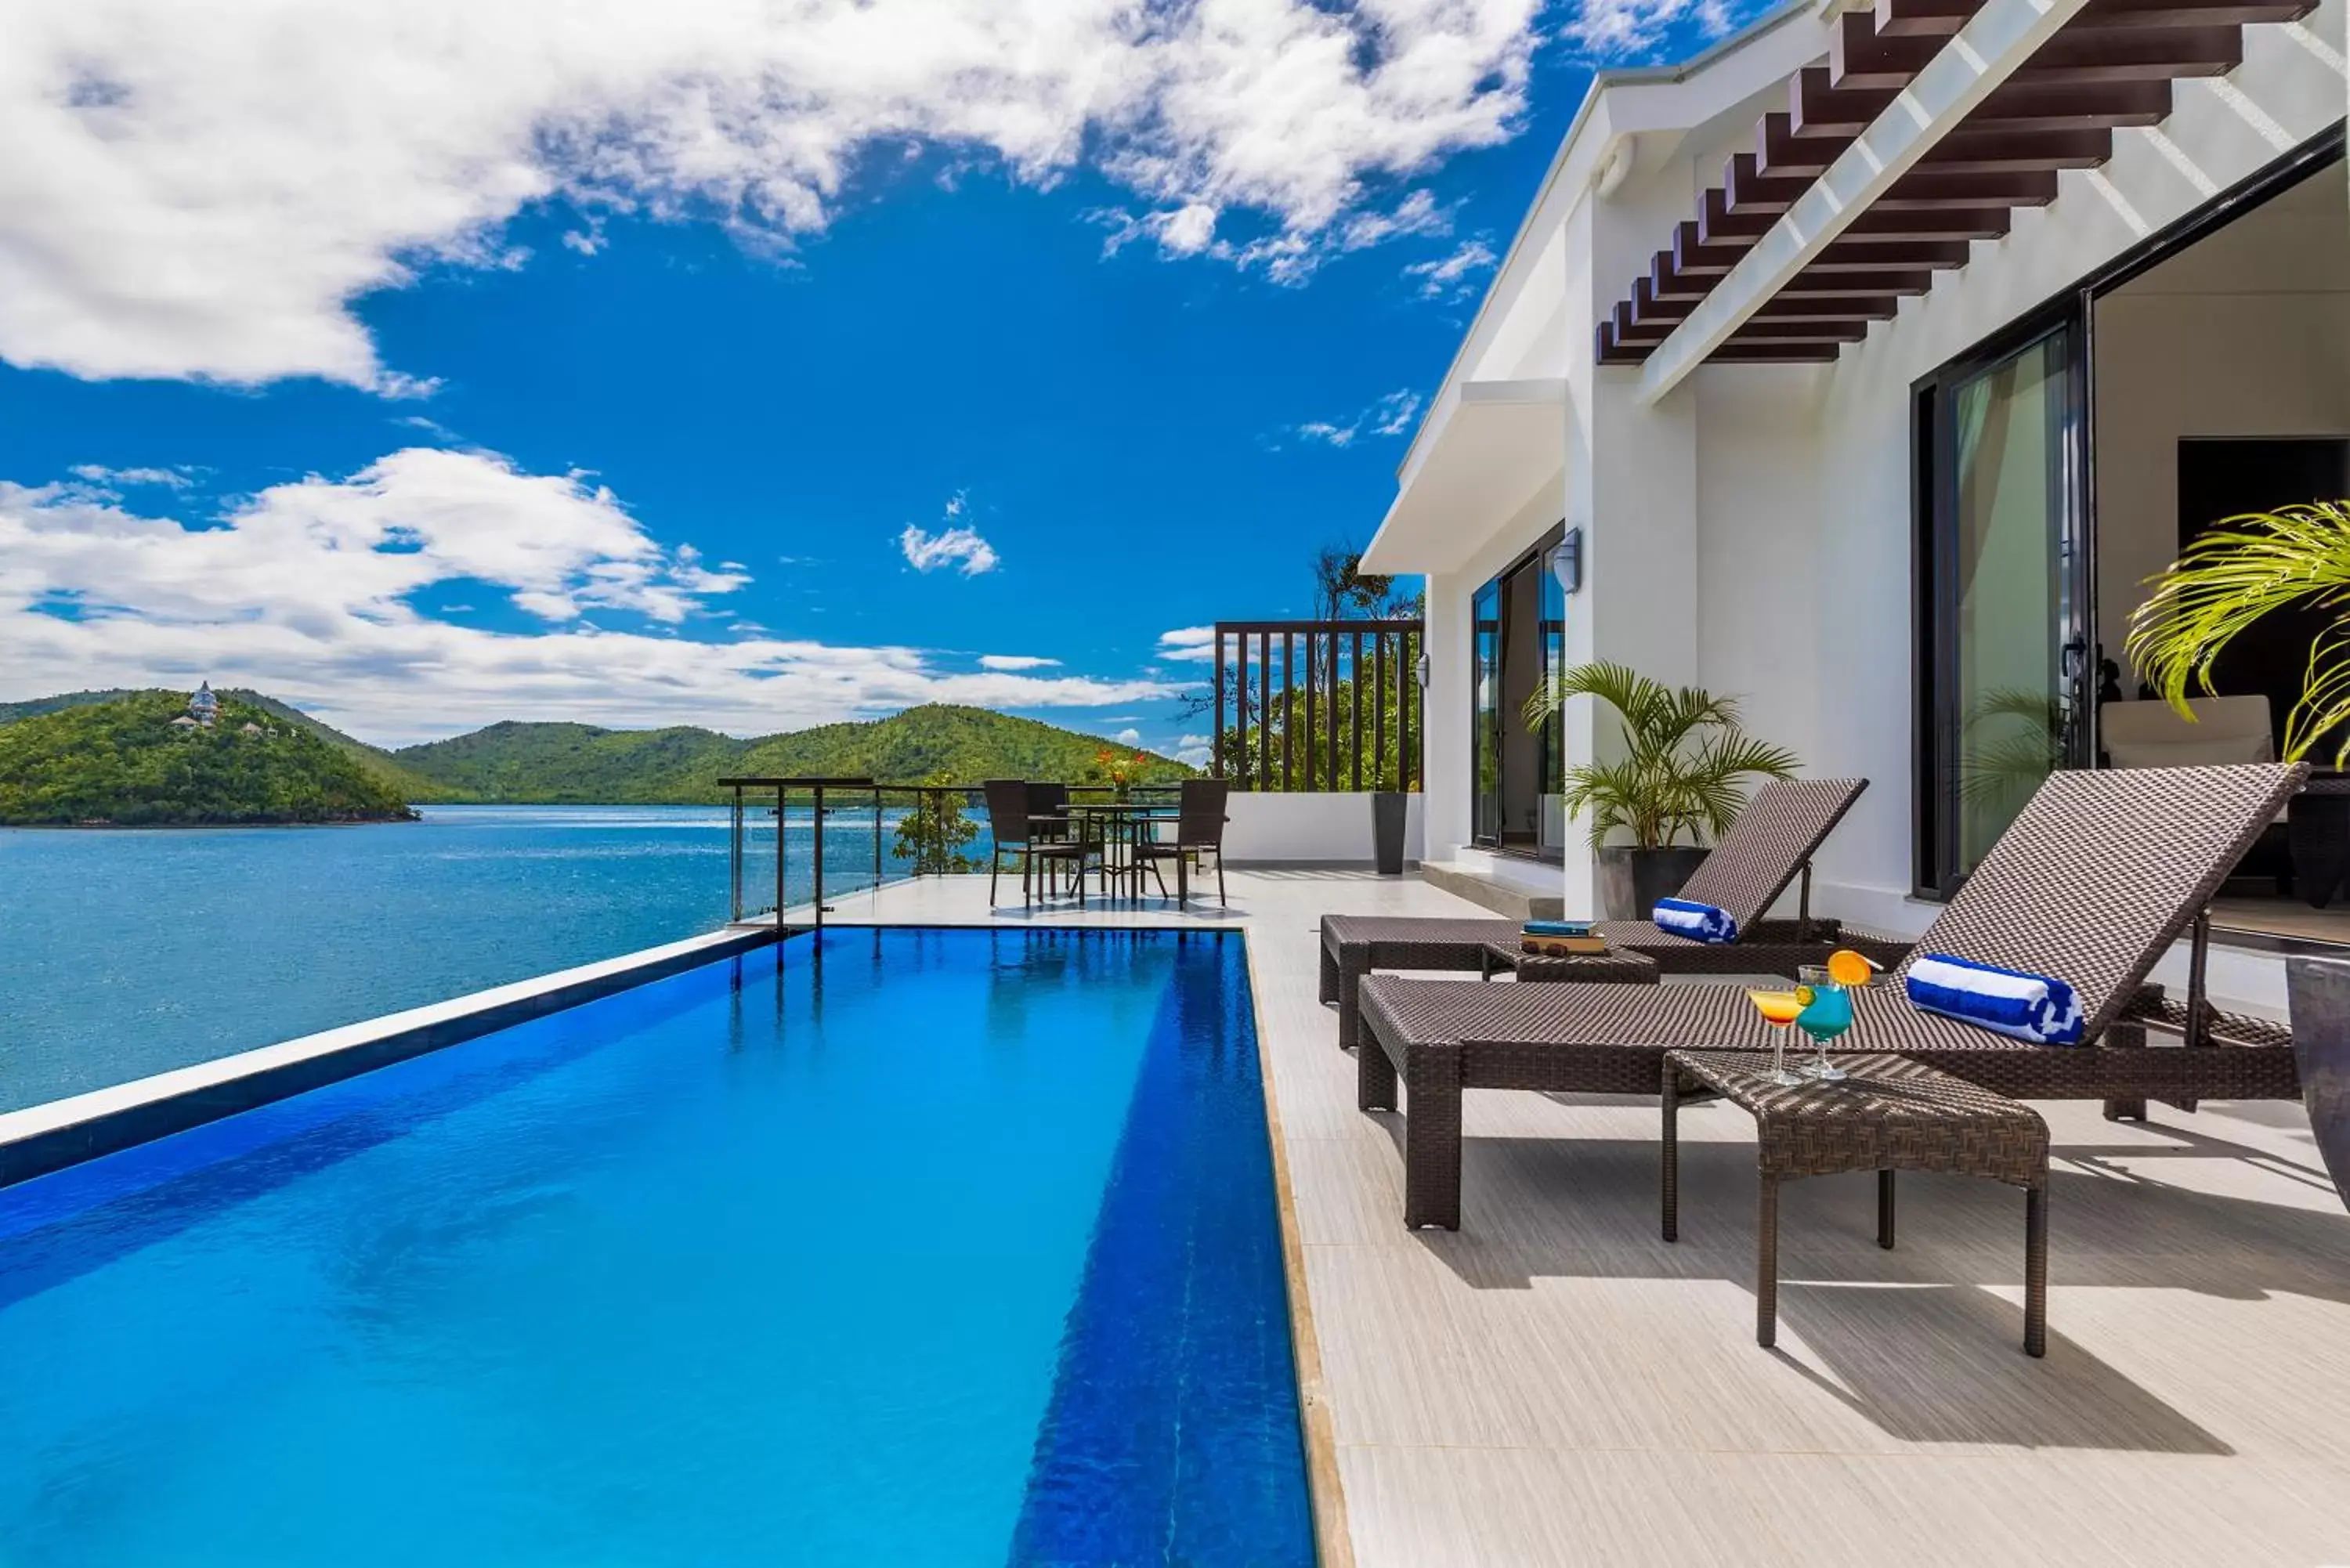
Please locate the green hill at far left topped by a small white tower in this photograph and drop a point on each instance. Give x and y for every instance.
(126, 763)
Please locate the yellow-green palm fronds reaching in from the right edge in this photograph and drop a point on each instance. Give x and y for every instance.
(2238, 572)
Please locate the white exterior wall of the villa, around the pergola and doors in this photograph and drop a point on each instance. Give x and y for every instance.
(1752, 530)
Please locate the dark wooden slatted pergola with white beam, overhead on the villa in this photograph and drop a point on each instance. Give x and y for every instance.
(1926, 128)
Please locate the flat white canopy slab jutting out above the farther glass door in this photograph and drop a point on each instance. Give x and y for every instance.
(1484, 450)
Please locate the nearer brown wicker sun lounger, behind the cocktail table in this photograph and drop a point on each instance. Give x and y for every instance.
(2093, 883)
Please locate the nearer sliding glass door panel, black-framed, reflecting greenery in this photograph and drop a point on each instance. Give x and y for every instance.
(2003, 594)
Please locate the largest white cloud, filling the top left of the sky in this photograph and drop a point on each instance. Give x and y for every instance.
(206, 192)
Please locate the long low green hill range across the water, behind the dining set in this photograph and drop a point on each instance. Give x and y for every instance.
(586, 765)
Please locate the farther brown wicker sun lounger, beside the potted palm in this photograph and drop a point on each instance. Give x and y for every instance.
(1771, 843)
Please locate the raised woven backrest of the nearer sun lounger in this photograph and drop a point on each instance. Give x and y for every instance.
(2104, 869)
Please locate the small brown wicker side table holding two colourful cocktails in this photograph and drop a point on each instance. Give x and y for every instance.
(1891, 1115)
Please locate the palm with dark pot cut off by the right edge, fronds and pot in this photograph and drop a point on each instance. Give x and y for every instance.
(2234, 575)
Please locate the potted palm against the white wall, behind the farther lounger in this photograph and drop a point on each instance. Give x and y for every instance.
(1681, 779)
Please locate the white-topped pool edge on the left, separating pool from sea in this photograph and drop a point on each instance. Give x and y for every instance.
(43, 1139)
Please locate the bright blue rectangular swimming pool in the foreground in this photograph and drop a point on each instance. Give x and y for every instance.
(904, 1247)
